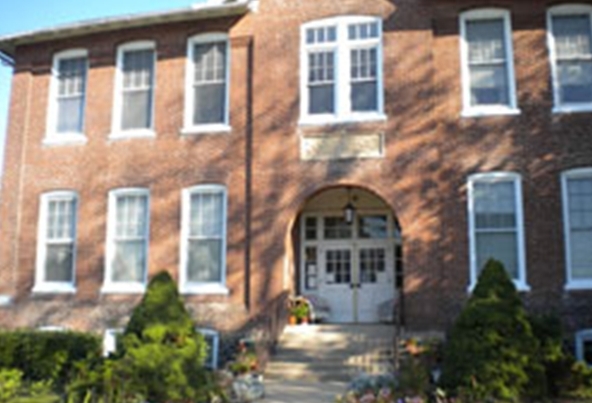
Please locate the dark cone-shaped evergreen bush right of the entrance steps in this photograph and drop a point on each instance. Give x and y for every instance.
(491, 349)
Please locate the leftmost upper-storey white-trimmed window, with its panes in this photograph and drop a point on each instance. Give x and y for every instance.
(67, 94)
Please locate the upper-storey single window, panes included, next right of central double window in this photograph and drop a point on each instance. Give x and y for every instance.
(487, 64)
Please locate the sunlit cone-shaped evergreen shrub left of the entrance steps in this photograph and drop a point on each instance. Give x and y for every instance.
(162, 353)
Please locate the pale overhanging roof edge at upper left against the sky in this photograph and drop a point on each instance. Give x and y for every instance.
(209, 9)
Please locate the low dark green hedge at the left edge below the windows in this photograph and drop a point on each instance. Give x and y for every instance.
(46, 356)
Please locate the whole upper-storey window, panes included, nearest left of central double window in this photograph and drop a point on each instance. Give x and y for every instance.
(207, 84)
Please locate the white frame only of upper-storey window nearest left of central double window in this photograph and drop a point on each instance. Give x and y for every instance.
(189, 105)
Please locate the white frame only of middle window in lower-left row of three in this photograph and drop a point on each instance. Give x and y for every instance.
(124, 287)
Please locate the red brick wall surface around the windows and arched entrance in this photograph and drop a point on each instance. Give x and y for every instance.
(429, 152)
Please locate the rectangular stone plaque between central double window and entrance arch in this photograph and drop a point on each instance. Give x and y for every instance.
(342, 146)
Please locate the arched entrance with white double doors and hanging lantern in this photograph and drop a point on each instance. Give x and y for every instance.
(352, 262)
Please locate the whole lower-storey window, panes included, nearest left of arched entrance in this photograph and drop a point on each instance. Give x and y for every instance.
(203, 244)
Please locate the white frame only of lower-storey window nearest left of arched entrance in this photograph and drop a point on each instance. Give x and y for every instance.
(186, 287)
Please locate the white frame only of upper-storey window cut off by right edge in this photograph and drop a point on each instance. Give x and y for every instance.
(565, 10)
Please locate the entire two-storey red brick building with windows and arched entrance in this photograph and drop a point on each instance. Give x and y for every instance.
(358, 152)
